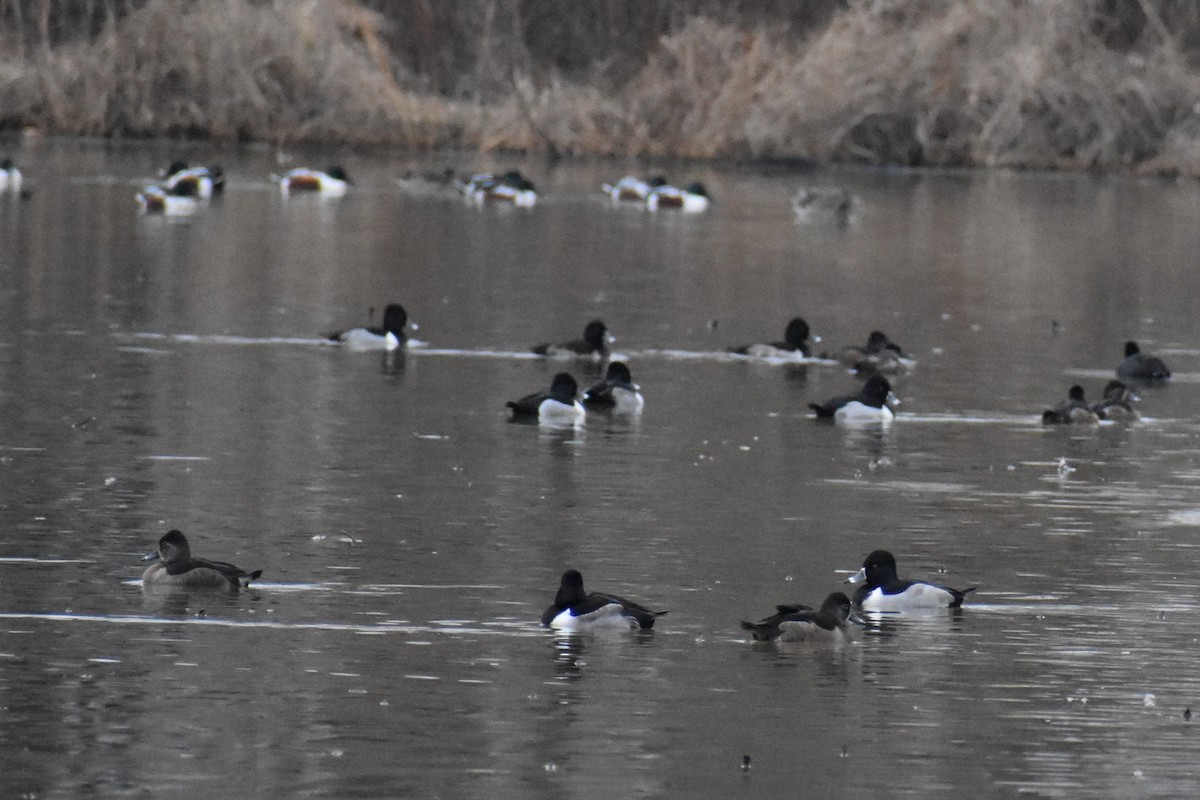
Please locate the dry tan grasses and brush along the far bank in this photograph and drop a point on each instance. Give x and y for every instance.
(1077, 85)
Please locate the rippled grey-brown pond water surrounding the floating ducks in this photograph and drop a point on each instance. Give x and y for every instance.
(163, 374)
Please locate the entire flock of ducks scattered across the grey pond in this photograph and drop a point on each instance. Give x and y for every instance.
(883, 591)
